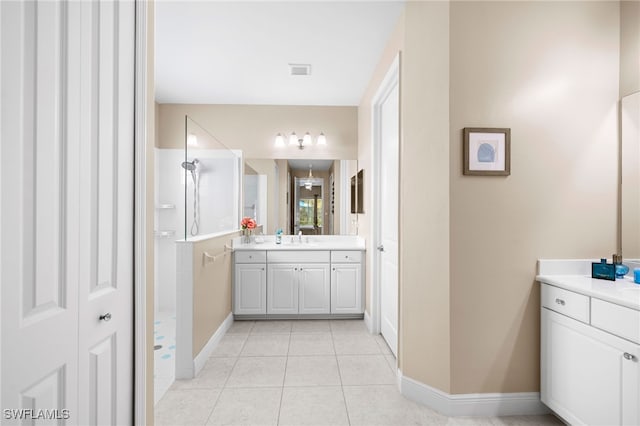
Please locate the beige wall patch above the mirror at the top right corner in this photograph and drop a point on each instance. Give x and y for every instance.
(629, 47)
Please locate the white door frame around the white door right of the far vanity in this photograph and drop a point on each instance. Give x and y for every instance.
(390, 81)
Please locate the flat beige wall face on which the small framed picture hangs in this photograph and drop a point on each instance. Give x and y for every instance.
(548, 71)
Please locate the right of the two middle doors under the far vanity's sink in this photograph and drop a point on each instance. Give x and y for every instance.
(314, 289)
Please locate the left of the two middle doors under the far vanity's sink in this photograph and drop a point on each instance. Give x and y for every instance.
(282, 289)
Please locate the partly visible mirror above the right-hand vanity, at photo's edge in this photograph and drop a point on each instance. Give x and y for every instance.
(630, 172)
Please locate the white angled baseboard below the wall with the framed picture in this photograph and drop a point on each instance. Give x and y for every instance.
(477, 404)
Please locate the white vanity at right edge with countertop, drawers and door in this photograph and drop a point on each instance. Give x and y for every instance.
(590, 345)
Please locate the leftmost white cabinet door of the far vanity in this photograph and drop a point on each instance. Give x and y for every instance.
(249, 294)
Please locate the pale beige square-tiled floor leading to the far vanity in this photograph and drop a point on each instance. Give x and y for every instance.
(304, 373)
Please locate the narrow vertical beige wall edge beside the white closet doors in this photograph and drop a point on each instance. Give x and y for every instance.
(150, 210)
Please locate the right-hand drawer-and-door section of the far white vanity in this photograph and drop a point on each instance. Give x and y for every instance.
(346, 282)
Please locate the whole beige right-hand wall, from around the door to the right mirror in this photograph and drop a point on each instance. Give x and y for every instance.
(469, 306)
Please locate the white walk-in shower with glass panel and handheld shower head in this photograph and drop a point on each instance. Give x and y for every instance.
(197, 196)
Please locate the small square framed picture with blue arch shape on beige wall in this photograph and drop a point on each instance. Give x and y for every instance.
(486, 151)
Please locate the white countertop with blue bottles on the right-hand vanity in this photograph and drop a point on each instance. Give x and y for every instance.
(622, 292)
